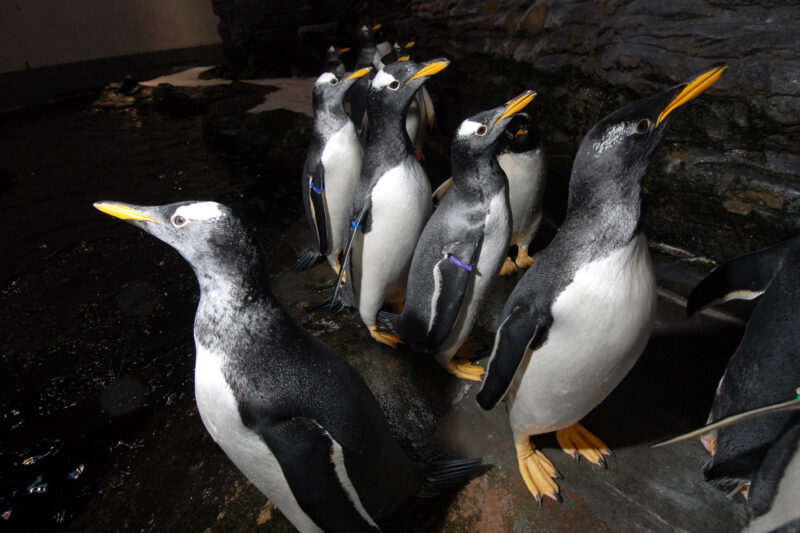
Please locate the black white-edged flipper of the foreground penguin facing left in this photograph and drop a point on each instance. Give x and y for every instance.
(313, 465)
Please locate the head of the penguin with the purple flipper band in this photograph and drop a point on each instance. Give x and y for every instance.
(480, 133)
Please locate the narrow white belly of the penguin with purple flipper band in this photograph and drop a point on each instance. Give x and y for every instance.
(493, 251)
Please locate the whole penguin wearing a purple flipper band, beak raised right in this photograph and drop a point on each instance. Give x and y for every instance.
(462, 246)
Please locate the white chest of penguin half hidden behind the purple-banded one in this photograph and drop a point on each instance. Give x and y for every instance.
(525, 174)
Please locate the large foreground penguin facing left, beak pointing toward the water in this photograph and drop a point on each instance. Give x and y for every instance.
(289, 412)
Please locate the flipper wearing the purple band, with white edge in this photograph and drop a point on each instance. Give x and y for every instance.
(451, 276)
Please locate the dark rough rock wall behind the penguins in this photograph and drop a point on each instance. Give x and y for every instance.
(725, 181)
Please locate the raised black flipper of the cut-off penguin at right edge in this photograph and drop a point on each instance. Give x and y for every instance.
(743, 278)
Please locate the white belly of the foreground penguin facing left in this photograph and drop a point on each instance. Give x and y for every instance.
(244, 448)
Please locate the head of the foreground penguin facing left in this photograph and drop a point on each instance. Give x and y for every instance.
(207, 234)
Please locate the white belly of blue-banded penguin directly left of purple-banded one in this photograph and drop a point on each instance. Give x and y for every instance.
(401, 204)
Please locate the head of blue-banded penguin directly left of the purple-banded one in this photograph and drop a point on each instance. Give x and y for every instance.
(395, 84)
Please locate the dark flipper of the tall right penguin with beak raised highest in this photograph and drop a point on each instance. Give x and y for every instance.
(517, 333)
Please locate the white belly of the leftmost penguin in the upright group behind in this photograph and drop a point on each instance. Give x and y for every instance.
(341, 159)
